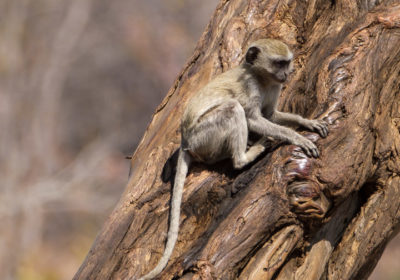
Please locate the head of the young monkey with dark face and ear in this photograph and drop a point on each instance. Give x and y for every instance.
(272, 58)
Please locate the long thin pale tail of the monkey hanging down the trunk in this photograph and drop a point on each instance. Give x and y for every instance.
(181, 172)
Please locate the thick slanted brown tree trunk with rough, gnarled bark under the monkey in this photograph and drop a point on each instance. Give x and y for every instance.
(286, 216)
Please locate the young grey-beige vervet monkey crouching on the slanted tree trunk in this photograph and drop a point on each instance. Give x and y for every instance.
(218, 118)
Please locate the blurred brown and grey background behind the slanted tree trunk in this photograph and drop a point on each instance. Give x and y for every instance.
(79, 81)
